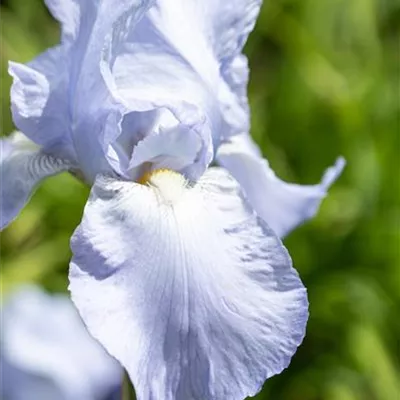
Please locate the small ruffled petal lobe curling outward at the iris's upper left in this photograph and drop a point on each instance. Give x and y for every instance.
(38, 102)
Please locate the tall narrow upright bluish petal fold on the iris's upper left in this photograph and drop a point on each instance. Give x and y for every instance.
(96, 115)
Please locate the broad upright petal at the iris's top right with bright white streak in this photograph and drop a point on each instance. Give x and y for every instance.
(184, 56)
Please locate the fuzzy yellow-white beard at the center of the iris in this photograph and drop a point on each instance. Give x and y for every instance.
(170, 184)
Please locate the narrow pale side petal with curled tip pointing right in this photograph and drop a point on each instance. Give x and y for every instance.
(282, 205)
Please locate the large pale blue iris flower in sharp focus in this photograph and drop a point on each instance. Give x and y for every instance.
(177, 268)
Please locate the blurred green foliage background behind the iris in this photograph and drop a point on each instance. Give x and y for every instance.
(325, 81)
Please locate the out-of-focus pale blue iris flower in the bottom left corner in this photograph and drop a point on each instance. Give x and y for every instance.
(47, 354)
